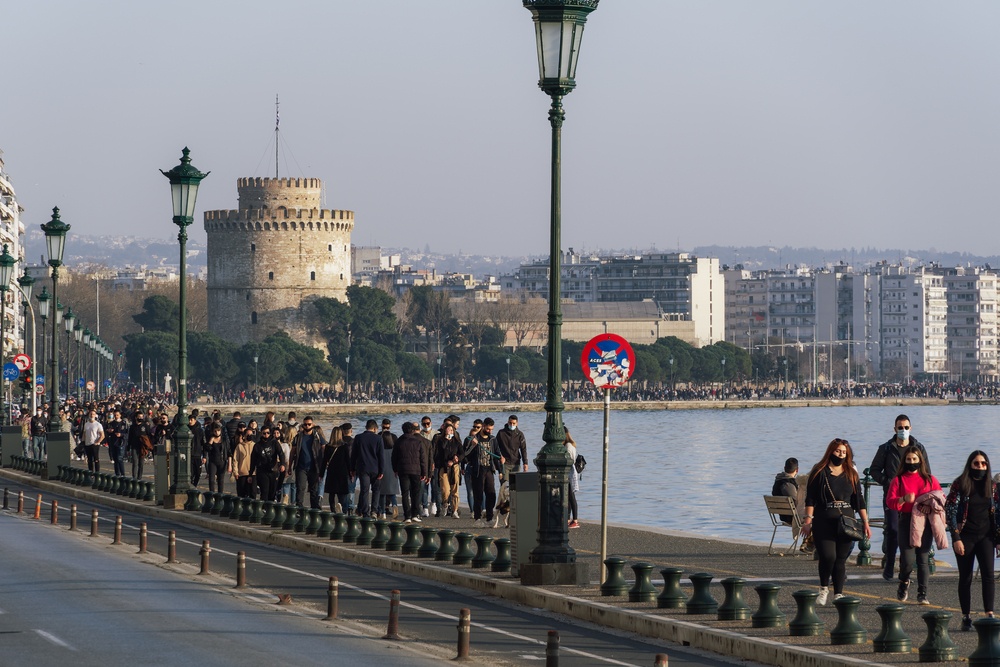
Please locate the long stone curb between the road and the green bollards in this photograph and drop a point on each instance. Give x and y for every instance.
(686, 633)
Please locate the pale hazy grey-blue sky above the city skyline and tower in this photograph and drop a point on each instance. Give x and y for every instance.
(694, 122)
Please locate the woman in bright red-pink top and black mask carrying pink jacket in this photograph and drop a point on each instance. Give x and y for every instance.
(912, 482)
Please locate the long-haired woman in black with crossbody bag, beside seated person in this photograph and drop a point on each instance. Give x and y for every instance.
(832, 491)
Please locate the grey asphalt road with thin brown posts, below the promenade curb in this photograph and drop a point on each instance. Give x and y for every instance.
(148, 609)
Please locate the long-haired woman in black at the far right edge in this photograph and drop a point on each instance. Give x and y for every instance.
(972, 512)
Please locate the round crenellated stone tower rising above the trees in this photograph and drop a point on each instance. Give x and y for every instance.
(272, 258)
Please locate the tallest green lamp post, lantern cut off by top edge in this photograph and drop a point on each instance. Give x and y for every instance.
(558, 33)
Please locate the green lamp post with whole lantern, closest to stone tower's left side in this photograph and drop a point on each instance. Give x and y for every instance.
(184, 181)
